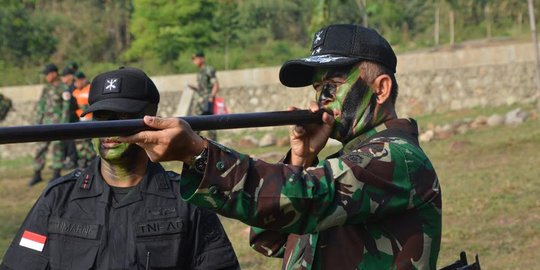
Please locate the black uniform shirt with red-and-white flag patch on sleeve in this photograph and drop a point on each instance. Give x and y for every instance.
(76, 224)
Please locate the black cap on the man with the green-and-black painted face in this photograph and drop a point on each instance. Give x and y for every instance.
(336, 46)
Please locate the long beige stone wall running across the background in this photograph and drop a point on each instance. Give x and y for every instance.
(430, 81)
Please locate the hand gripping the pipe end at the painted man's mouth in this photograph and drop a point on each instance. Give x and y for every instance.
(308, 140)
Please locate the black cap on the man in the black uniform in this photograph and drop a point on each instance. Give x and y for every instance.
(125, 90)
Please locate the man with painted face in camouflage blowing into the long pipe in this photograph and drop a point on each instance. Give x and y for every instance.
(376, 204)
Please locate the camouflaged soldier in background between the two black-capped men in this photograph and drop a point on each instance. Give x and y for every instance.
(205, 91)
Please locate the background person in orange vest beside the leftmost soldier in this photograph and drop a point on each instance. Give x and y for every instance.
(85, 149)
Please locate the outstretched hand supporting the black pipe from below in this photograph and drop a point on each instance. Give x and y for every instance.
(173, 140)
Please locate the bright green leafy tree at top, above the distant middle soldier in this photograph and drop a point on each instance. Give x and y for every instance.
(165, 29)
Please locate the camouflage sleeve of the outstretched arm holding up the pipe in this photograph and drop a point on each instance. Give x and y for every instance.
(368, 183)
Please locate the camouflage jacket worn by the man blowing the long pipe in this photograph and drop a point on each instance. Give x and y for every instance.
(376, 204)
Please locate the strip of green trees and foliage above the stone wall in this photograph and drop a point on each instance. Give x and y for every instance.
(160, 36)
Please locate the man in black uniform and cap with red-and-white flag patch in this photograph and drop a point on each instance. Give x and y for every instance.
(123, 211)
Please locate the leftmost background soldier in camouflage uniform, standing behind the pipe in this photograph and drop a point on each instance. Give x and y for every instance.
(52, 108)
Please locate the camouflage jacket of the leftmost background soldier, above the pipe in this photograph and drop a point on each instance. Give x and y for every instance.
(53, 106)
